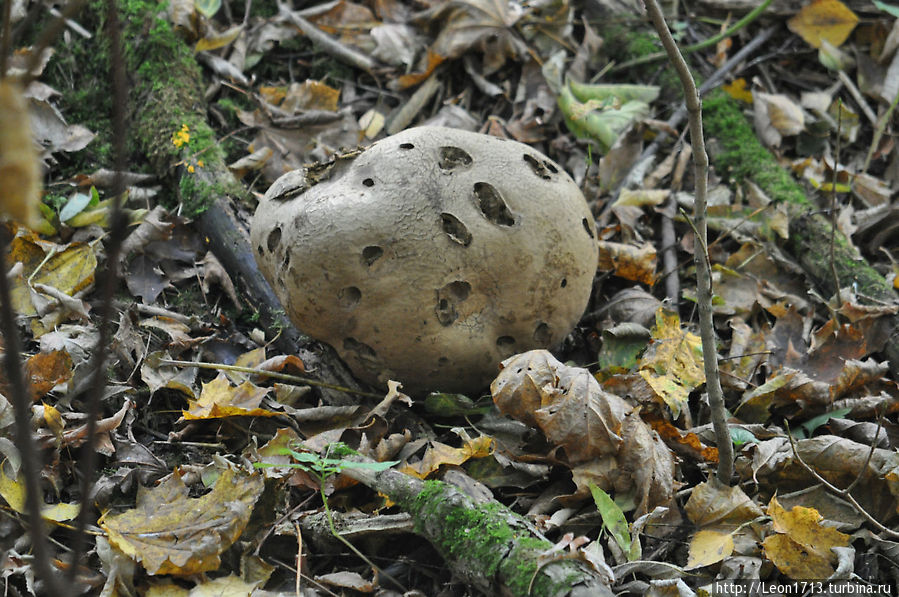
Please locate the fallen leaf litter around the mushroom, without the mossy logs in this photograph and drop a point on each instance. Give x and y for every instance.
(614, 444)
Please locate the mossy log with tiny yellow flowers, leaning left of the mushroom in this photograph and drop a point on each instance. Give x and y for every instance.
(167, 99)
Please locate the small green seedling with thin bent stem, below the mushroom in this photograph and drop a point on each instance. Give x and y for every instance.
(321, 467)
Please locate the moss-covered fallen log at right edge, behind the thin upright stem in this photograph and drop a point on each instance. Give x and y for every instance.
(741, 156)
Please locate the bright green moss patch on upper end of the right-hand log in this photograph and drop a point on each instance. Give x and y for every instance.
(740, 154)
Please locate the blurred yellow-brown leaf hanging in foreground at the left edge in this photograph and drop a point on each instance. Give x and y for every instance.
(19, 170)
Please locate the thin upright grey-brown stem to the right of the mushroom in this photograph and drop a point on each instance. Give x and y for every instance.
(703, 269)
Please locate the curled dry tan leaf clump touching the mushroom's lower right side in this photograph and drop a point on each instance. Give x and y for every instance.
(601, 434)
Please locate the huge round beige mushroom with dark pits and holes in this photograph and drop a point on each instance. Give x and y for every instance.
(431, 256)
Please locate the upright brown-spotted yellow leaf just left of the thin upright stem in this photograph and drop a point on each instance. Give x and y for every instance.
(672, 365)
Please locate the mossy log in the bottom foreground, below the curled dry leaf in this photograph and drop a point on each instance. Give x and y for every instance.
(484, 543)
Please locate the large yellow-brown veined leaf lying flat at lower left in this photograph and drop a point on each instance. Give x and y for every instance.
(171, 533)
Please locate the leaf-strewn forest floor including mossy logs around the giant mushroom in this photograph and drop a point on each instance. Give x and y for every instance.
(223, 478)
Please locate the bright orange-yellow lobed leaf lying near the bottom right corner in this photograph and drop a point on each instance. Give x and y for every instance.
(802, 546)
